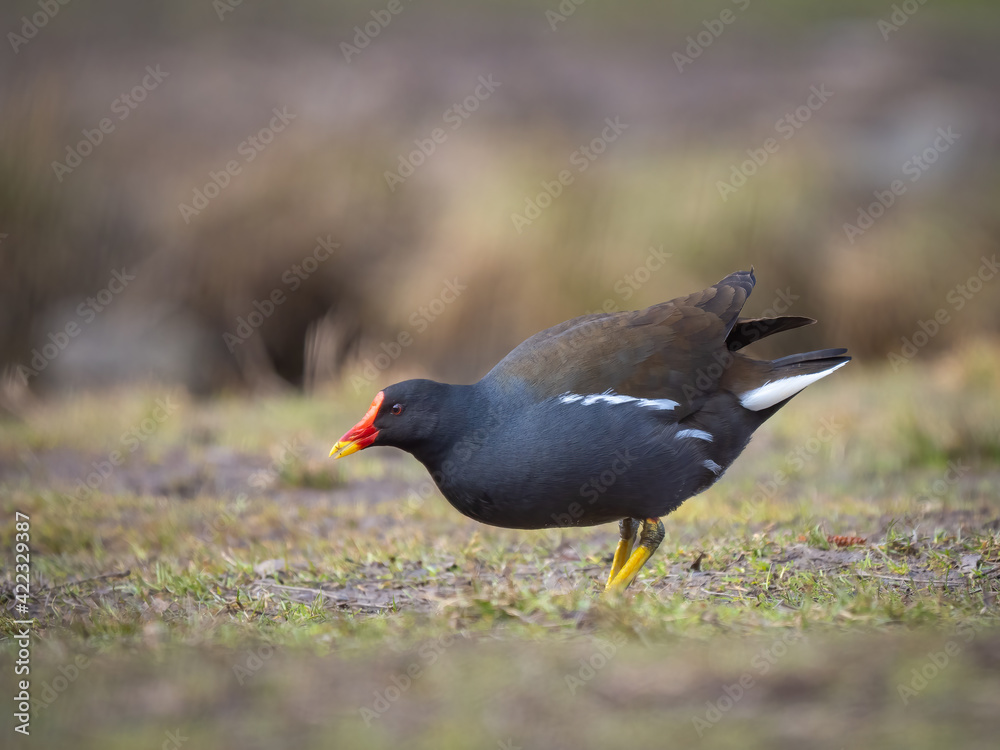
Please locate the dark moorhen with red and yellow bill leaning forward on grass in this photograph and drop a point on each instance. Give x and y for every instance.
(607, 417)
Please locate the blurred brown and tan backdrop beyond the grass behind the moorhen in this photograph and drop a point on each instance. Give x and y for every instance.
(236, 196)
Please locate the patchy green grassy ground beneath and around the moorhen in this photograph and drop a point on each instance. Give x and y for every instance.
(225, 585)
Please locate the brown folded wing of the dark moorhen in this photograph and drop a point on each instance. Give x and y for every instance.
(674, 350)
